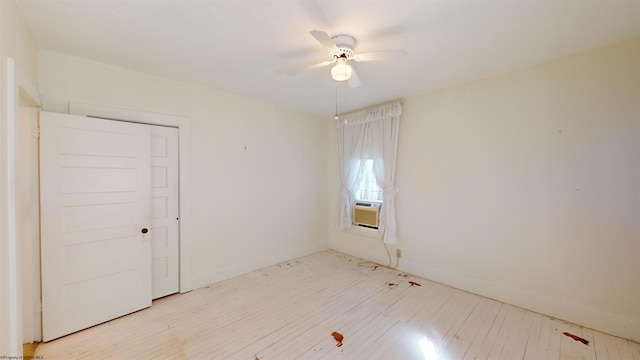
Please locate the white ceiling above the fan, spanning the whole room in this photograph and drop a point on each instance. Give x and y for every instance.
(243, 46)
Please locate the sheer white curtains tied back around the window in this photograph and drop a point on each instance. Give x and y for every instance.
(375, 131)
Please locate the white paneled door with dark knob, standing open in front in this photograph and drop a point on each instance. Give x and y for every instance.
(95, 194)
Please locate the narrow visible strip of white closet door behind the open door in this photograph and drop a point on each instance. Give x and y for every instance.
(164, 211)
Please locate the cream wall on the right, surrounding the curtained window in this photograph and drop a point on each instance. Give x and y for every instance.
(525, 188)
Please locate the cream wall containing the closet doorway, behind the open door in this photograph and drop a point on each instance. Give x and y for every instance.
(258, 180)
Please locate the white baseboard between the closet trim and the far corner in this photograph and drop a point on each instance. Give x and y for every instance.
(229, 271)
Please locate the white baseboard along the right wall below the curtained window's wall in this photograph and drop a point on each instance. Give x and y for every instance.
(609, 323)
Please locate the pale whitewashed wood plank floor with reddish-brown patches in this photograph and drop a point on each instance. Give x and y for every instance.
(290, 310)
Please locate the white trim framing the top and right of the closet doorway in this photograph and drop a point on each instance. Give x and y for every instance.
(182, 123)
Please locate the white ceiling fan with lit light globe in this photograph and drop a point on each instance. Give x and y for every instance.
(341, 52)
